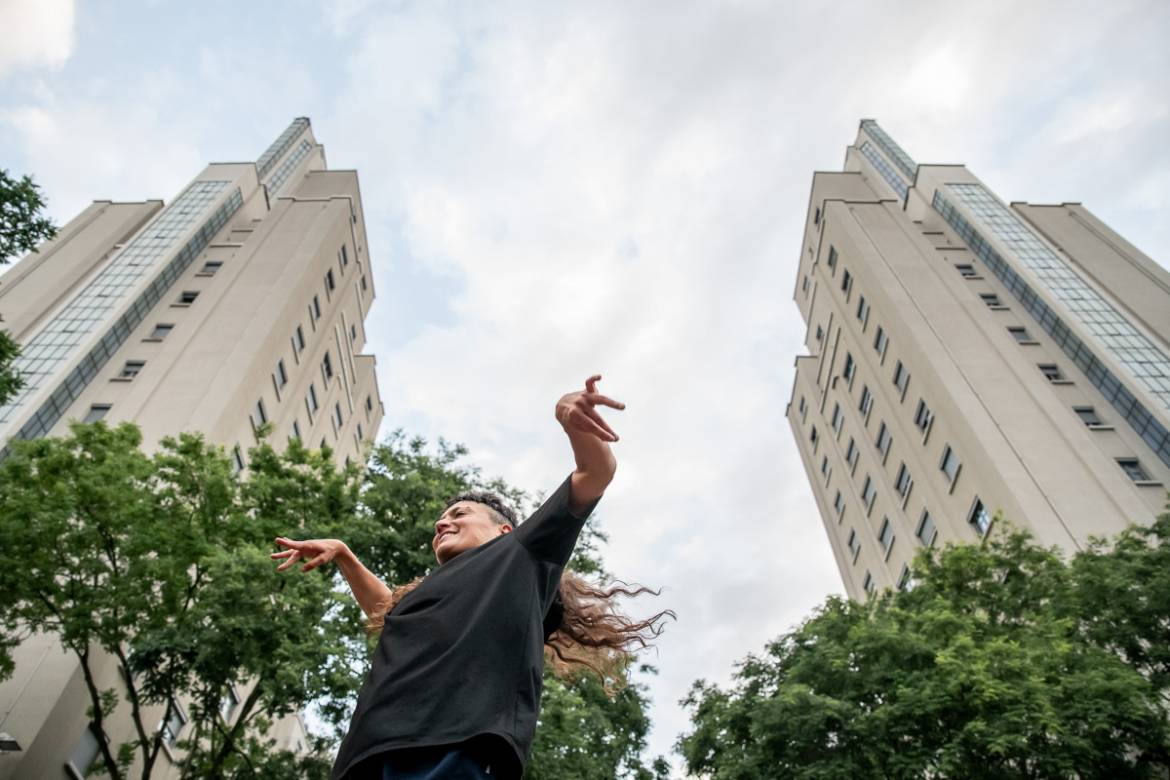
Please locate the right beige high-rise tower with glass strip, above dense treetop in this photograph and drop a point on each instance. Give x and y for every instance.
(969, 357)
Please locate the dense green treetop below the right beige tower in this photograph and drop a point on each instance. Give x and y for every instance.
(995, 665)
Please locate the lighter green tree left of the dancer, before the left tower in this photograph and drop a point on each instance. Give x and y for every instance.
(162, 564)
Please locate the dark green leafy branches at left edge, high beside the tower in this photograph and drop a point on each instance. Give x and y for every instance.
(23, 226)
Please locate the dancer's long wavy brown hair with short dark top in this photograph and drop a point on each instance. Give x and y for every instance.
(593, 633)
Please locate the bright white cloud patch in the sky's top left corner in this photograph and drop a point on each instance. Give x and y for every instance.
(37, 33)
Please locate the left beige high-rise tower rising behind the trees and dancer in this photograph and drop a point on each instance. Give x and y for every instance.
(240, 302)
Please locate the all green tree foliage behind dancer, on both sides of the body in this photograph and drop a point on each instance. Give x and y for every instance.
(162, 562)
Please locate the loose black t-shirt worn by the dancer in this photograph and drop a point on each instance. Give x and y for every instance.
(462, 657)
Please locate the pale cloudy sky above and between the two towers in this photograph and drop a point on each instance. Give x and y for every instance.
(558, 190)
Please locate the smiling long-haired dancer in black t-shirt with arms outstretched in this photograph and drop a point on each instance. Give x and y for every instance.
(455, 689)
